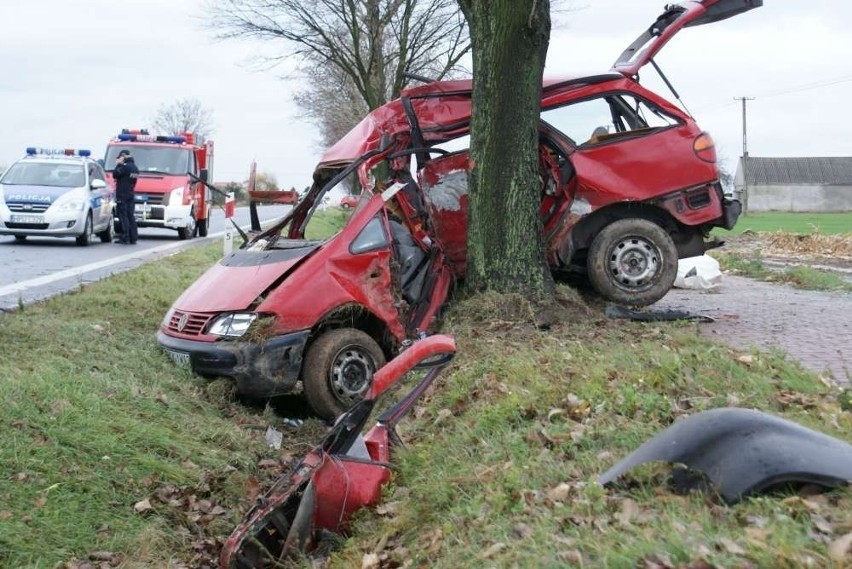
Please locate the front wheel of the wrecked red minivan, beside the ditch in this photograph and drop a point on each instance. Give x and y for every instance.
(338, 370)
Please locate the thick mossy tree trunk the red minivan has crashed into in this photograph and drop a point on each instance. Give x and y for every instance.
(505, 244)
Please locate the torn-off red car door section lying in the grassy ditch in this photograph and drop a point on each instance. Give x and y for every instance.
(343, 473)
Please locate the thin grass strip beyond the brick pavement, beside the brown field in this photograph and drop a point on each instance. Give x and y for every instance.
(802, 277)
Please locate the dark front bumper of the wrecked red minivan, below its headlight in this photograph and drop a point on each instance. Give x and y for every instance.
(259, 369)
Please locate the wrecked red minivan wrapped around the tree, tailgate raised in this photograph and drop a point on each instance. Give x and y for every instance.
(629, 184)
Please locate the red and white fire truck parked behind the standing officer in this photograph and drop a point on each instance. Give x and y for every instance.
(171, 191)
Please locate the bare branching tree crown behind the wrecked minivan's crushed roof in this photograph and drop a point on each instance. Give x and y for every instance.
(357, 53)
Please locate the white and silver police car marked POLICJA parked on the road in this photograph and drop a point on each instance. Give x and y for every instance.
(56, 193)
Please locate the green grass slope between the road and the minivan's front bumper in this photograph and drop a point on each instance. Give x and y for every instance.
(108, 449)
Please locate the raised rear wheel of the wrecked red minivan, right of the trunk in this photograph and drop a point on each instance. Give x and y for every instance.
(632, 261)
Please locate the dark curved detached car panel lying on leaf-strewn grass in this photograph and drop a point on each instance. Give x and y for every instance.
(744, 451)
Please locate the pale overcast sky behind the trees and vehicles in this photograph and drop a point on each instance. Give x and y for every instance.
(74, 73)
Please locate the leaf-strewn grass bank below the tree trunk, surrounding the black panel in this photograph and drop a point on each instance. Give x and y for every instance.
(502, 458)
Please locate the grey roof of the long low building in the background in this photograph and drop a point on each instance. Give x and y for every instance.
(835, 170)
